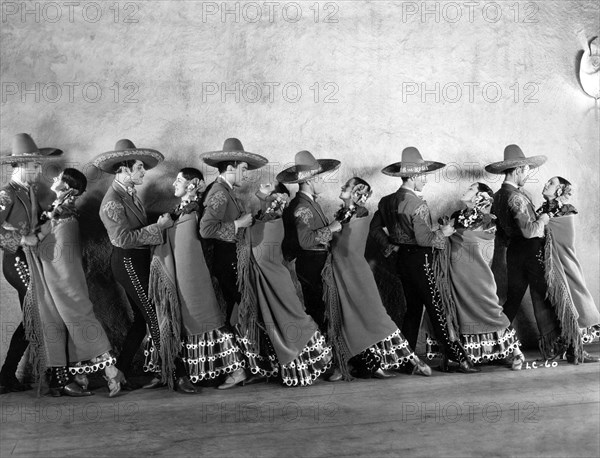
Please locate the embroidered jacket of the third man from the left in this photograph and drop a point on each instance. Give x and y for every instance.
(221, 209)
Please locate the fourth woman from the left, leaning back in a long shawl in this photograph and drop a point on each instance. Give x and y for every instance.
(358, 325)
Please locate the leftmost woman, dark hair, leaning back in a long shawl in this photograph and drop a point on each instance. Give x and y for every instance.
(60, 320)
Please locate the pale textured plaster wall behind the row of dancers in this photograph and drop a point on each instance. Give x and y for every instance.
(357, 81)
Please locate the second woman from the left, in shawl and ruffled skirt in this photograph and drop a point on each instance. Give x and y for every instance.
(191, 322)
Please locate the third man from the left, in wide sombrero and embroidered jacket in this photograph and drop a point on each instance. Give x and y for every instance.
(223, 217)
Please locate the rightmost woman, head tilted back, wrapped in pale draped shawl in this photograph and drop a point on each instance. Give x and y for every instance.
(564, 275)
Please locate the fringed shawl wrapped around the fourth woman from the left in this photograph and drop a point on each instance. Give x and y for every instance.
(355, 313)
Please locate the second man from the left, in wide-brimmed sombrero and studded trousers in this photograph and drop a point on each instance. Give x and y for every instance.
(123, 214)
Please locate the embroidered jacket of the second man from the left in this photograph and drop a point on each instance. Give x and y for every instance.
(125, 220)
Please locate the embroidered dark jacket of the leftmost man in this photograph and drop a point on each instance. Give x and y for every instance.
(15, 216)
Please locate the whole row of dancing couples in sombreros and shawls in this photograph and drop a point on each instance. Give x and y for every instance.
(285, 294)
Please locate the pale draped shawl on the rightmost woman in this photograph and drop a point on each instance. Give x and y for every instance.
(559, 248)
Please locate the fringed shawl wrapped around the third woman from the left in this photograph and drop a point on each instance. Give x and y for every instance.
(269, 300)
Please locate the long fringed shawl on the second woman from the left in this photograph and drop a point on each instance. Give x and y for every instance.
(182, 290)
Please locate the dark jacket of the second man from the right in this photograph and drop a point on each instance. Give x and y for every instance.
(408, 221)
